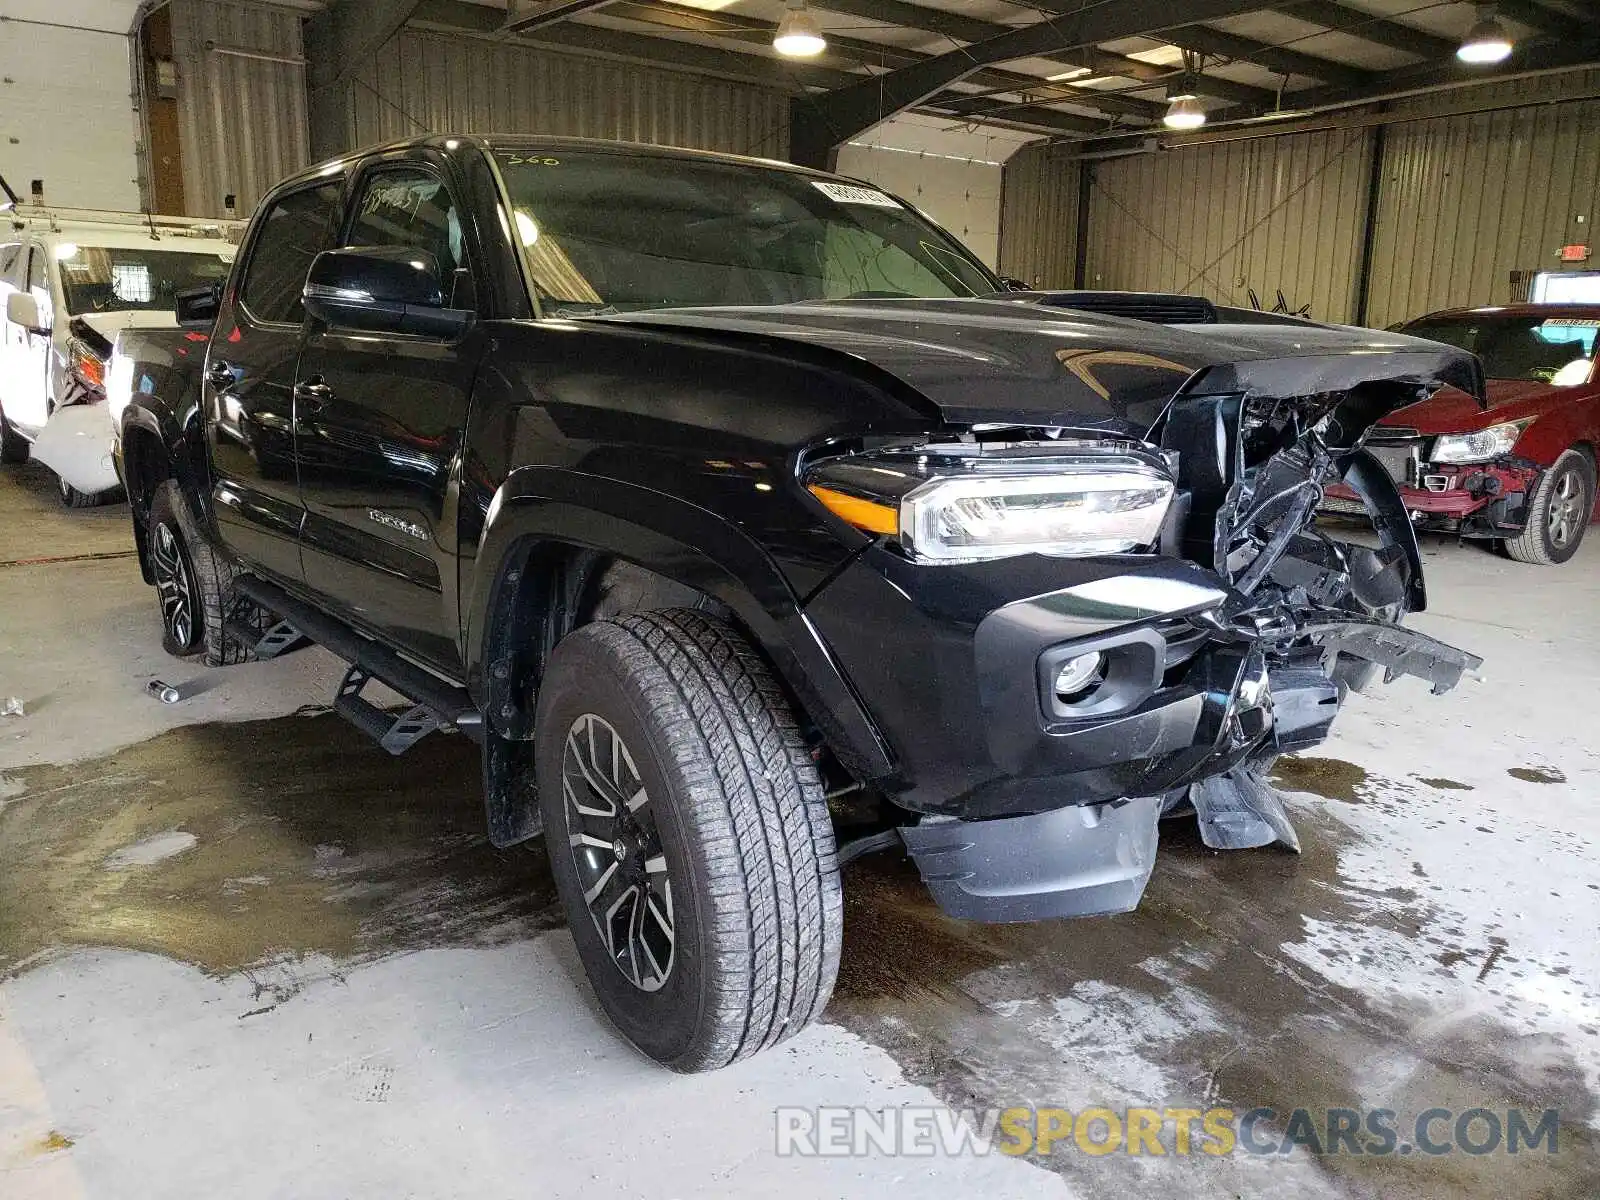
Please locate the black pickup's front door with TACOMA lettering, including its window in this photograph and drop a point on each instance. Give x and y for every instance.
(378, 430)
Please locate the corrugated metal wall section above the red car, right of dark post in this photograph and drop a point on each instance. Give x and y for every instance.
(1468, 201)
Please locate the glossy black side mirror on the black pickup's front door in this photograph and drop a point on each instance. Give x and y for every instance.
(385, 290)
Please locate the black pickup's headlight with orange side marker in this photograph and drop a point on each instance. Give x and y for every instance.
(945, 506)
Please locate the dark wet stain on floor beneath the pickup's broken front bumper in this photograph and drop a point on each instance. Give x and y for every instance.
(1193, 1001)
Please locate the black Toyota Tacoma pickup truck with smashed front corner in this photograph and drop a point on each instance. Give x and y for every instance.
(751, 524)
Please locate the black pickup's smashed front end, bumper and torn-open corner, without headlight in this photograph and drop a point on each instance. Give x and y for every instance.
(1233, 641)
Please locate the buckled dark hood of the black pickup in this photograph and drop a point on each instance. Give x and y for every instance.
(1018, 361)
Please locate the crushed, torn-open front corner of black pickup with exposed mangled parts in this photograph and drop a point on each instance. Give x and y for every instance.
(1308, 617)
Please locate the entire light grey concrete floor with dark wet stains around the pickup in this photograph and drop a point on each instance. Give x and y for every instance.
(244, 953)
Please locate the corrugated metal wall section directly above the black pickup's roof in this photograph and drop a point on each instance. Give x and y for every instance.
(422, 82)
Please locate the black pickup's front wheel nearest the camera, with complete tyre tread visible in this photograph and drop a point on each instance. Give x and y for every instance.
(689, 838)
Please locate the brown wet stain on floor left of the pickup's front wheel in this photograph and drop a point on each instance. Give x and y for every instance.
(234, 847)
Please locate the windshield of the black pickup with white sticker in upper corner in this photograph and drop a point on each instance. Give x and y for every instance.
(614, 233)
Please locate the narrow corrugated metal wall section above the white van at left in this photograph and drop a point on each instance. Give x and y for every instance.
(242, 121)
